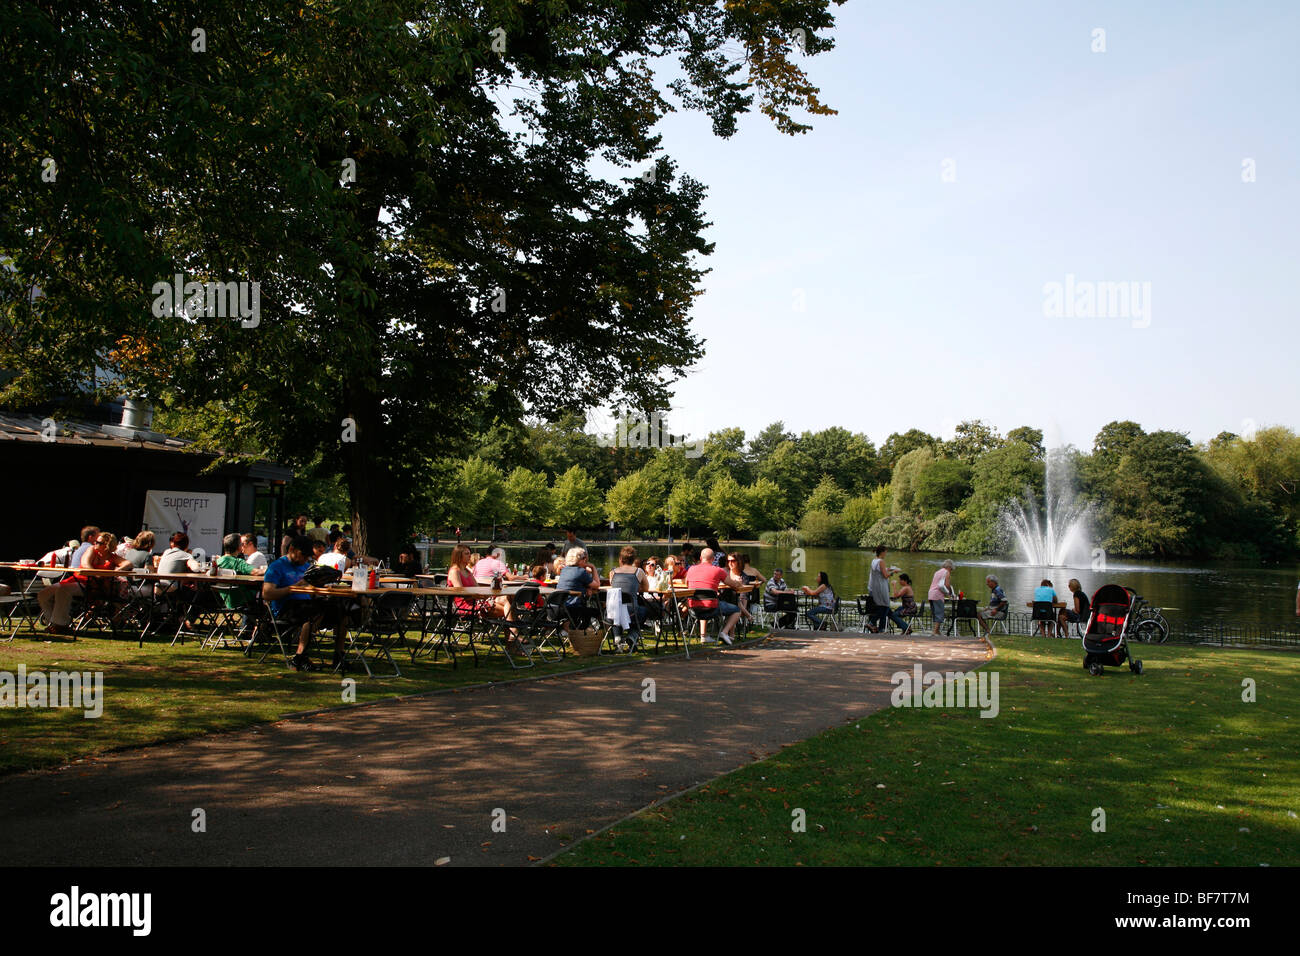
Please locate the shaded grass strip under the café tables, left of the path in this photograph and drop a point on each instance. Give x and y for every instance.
(161, 693)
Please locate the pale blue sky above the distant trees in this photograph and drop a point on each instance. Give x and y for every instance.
(892, 269)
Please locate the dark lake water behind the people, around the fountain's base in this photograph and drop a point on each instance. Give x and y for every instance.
(1193, 594)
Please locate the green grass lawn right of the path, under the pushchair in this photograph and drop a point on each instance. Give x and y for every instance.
(1184, 769)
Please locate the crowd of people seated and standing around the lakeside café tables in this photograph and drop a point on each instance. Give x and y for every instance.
(727, 583)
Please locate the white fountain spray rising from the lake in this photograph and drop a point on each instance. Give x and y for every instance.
(1058, 537)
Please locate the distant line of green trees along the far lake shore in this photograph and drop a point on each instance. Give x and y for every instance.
(1151, 494)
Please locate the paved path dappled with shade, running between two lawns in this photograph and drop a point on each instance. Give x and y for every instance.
(418, 781)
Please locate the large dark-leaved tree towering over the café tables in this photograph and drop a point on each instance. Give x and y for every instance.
(432, 200)
